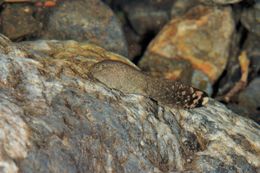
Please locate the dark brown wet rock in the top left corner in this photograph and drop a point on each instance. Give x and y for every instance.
(18, 22)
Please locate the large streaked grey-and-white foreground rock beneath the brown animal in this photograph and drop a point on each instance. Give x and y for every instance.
(54, 119)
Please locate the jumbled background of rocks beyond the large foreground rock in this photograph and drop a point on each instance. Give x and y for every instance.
(198, 42)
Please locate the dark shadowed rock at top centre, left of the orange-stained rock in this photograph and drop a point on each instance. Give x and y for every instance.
(147, 16)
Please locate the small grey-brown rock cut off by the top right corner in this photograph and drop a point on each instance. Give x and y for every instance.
(250, 18)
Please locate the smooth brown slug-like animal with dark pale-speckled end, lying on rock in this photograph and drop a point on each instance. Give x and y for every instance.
(125, 78)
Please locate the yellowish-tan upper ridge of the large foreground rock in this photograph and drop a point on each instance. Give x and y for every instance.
(66, 51)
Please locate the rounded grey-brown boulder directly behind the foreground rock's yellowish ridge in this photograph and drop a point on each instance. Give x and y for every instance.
(86, 20)
